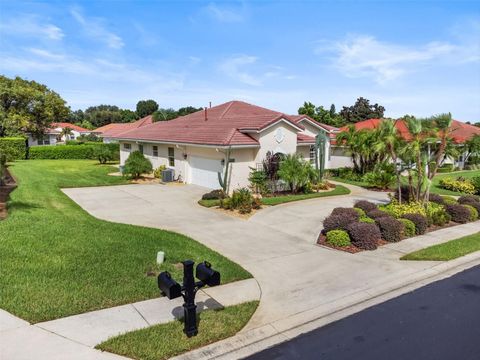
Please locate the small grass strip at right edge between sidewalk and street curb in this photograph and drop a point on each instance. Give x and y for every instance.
(447, 251)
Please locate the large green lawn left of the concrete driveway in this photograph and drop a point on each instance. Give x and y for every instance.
(57, 260)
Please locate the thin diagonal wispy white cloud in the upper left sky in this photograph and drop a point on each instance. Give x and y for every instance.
(94, 27)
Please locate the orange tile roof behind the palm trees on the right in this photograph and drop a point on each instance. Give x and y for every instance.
(459, 131)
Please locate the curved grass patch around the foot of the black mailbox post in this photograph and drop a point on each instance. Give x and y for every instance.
(166, 340)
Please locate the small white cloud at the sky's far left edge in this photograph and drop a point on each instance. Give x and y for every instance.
(31, 25)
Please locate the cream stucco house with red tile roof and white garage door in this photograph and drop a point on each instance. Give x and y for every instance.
(196, 145)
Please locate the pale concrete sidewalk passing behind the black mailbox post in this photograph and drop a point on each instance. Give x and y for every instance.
(75, 336)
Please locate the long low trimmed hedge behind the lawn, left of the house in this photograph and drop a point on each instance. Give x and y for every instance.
(69, 151)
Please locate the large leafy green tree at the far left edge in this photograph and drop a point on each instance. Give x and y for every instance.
(27, 106)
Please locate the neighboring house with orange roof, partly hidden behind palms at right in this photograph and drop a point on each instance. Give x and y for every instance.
(459, 132)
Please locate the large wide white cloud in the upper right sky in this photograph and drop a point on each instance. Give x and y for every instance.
(365, 56)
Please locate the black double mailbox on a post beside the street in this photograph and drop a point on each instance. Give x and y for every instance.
(168, 286)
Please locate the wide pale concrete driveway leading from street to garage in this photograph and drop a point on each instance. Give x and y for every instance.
(277, 245)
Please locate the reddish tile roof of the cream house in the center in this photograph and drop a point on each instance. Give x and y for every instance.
(223, 125)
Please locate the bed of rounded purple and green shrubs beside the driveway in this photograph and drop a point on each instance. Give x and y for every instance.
(367, 225)
